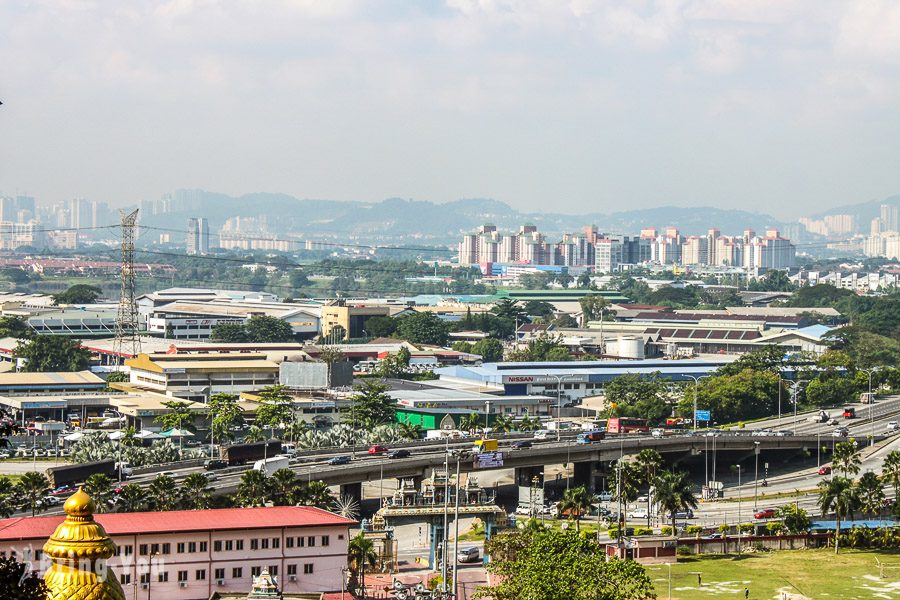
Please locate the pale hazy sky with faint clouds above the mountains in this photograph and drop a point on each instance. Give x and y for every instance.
(780, 106)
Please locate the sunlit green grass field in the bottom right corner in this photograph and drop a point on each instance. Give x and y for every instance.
(792, 575)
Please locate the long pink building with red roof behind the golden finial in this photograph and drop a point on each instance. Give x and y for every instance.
(190, 554)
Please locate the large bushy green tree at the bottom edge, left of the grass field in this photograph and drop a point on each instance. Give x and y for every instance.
(579, 569)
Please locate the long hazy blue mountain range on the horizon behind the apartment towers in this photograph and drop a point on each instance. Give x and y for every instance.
(396, 218)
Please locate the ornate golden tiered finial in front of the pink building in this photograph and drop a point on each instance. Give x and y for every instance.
(79, 550)
